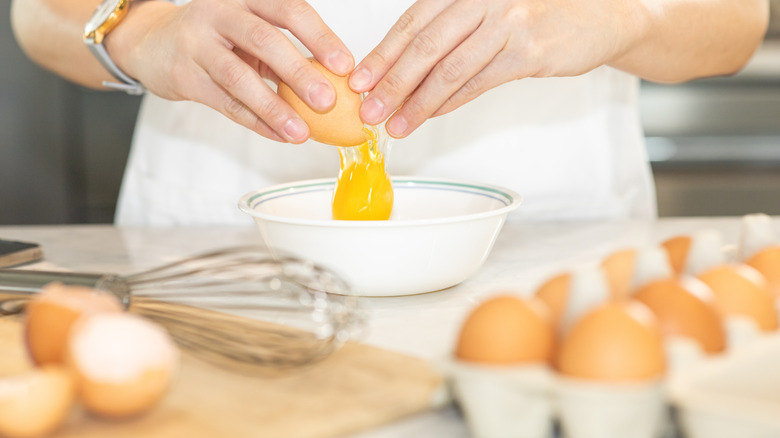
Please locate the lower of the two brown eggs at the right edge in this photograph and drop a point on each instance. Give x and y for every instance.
(741, 290)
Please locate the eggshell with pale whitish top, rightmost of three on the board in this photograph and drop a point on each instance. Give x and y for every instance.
(123, 363)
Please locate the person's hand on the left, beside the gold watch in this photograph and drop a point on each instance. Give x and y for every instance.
(217, 52)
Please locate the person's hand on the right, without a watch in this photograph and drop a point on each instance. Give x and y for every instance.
(443, 53)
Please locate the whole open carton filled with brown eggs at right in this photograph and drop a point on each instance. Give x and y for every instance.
(672, 293)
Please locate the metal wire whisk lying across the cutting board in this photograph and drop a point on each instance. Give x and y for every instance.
(237, 307)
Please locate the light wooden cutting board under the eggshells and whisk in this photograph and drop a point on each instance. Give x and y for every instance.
(356, 388)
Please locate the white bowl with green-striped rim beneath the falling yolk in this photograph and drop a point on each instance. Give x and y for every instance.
(440, 232)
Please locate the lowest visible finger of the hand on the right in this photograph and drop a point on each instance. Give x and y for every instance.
(446, 78)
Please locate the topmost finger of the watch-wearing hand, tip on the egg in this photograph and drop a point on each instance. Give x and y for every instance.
(305, 23)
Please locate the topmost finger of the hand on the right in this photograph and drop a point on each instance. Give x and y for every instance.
(379, 61)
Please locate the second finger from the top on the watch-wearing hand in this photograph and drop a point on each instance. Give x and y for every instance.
(265, 42)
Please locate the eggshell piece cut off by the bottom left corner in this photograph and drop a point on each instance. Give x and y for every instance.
(35, 403)
